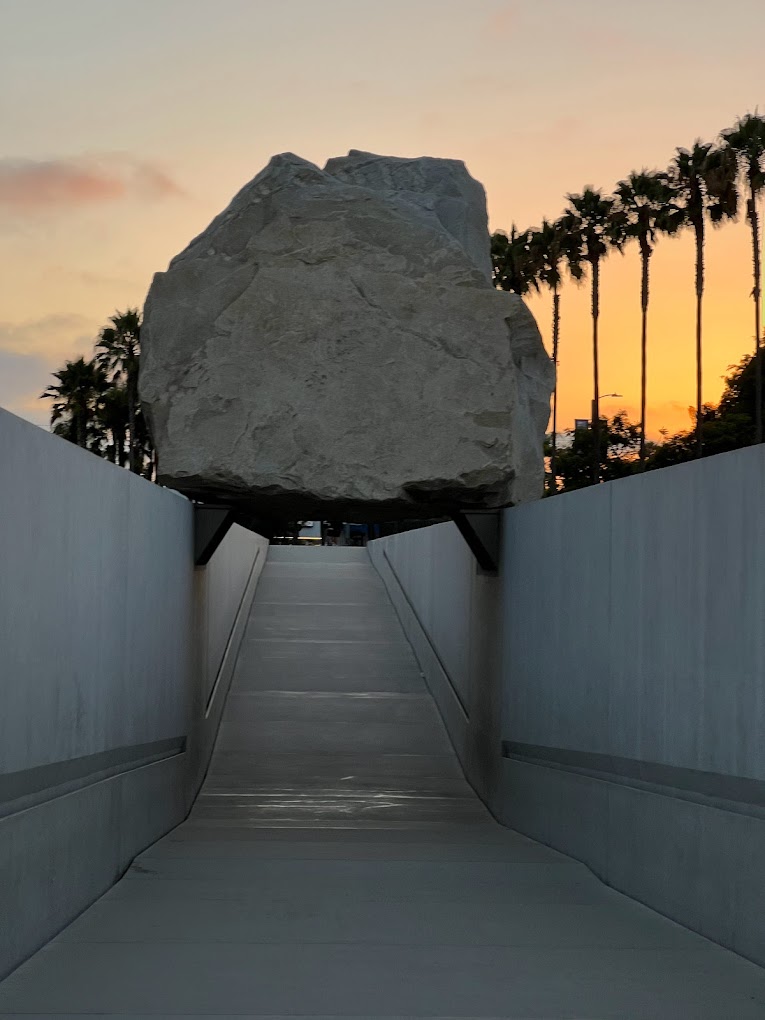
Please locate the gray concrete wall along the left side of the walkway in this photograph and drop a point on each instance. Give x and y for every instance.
(112, 646)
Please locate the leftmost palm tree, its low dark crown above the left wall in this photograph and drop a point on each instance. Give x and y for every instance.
(76, 397)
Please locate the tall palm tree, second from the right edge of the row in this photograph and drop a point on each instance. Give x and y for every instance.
(703, 181)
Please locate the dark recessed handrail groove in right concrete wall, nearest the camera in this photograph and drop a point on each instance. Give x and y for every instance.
(671, 780)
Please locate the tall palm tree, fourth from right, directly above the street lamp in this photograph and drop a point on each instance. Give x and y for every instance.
(591, 221)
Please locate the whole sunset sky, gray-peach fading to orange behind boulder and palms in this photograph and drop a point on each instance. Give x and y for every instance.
(127, 125)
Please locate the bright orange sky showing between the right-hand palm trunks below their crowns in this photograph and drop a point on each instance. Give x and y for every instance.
(729, 331)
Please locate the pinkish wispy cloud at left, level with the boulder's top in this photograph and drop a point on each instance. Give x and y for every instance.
(29, 186)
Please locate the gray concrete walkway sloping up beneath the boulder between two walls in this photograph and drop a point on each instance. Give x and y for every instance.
(337, 864)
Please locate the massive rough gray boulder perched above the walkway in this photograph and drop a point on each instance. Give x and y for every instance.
(332, 345)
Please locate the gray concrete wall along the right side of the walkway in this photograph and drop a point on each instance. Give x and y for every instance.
(625, 638)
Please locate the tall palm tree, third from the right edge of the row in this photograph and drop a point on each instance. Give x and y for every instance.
(645, 203)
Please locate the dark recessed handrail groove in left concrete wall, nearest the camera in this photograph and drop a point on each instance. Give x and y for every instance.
(45, 782)
